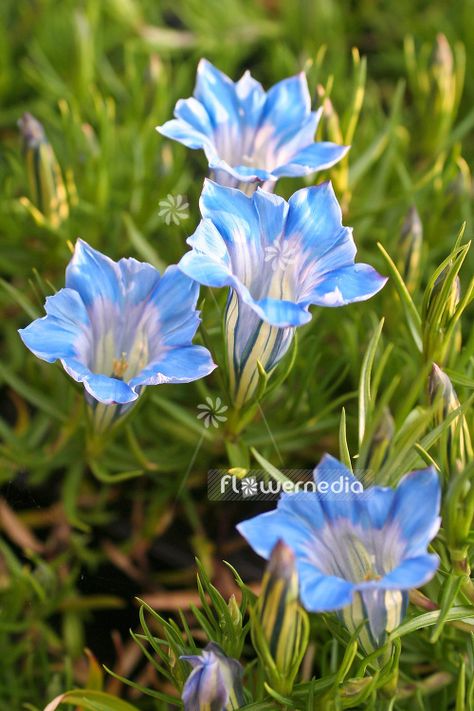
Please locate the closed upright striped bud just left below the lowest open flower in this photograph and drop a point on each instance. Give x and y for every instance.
(280, 633)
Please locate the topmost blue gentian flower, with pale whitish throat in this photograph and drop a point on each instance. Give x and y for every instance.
(251, 136)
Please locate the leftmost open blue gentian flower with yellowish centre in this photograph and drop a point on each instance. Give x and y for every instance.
(119, 326)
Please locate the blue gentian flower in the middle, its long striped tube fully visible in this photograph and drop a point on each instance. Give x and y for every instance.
(278, 258)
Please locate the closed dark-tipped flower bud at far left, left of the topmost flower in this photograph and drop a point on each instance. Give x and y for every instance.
(47, 189)
